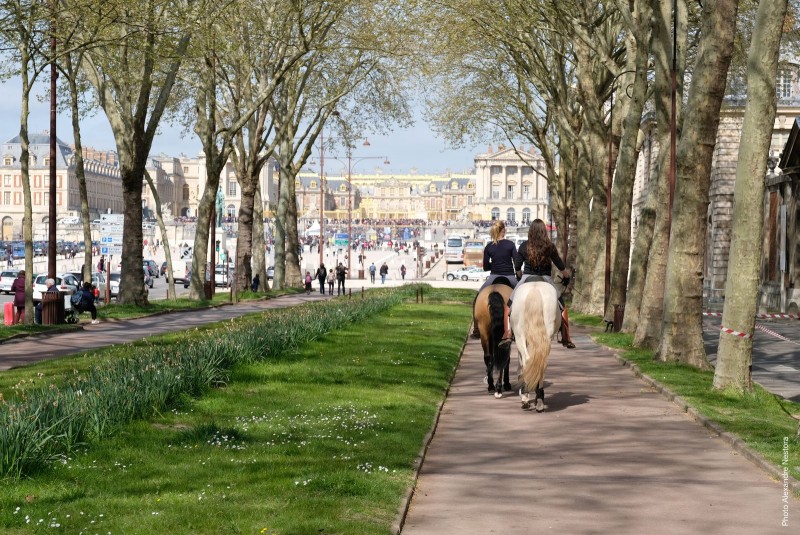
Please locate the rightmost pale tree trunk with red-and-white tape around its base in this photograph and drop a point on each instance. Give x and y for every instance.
(735, 354)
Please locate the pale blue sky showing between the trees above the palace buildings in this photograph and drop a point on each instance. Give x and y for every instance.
(414, 149)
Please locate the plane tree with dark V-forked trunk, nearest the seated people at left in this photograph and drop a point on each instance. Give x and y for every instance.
(133, 76)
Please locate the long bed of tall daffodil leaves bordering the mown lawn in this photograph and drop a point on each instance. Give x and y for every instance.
(39, 421)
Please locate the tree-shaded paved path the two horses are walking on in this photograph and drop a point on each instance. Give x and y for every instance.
(609, 455)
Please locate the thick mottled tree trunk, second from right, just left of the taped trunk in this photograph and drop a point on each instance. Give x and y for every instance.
(682, 328)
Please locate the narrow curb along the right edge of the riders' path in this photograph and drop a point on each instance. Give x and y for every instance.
(736, 443)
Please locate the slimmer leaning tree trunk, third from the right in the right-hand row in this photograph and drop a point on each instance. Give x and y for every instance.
(648, 328)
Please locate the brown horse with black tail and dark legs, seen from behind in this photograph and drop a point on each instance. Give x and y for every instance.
(488, 314)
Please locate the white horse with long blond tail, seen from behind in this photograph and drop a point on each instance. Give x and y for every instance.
(535, 319)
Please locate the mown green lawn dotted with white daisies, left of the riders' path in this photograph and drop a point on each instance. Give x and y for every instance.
(321, 438)
